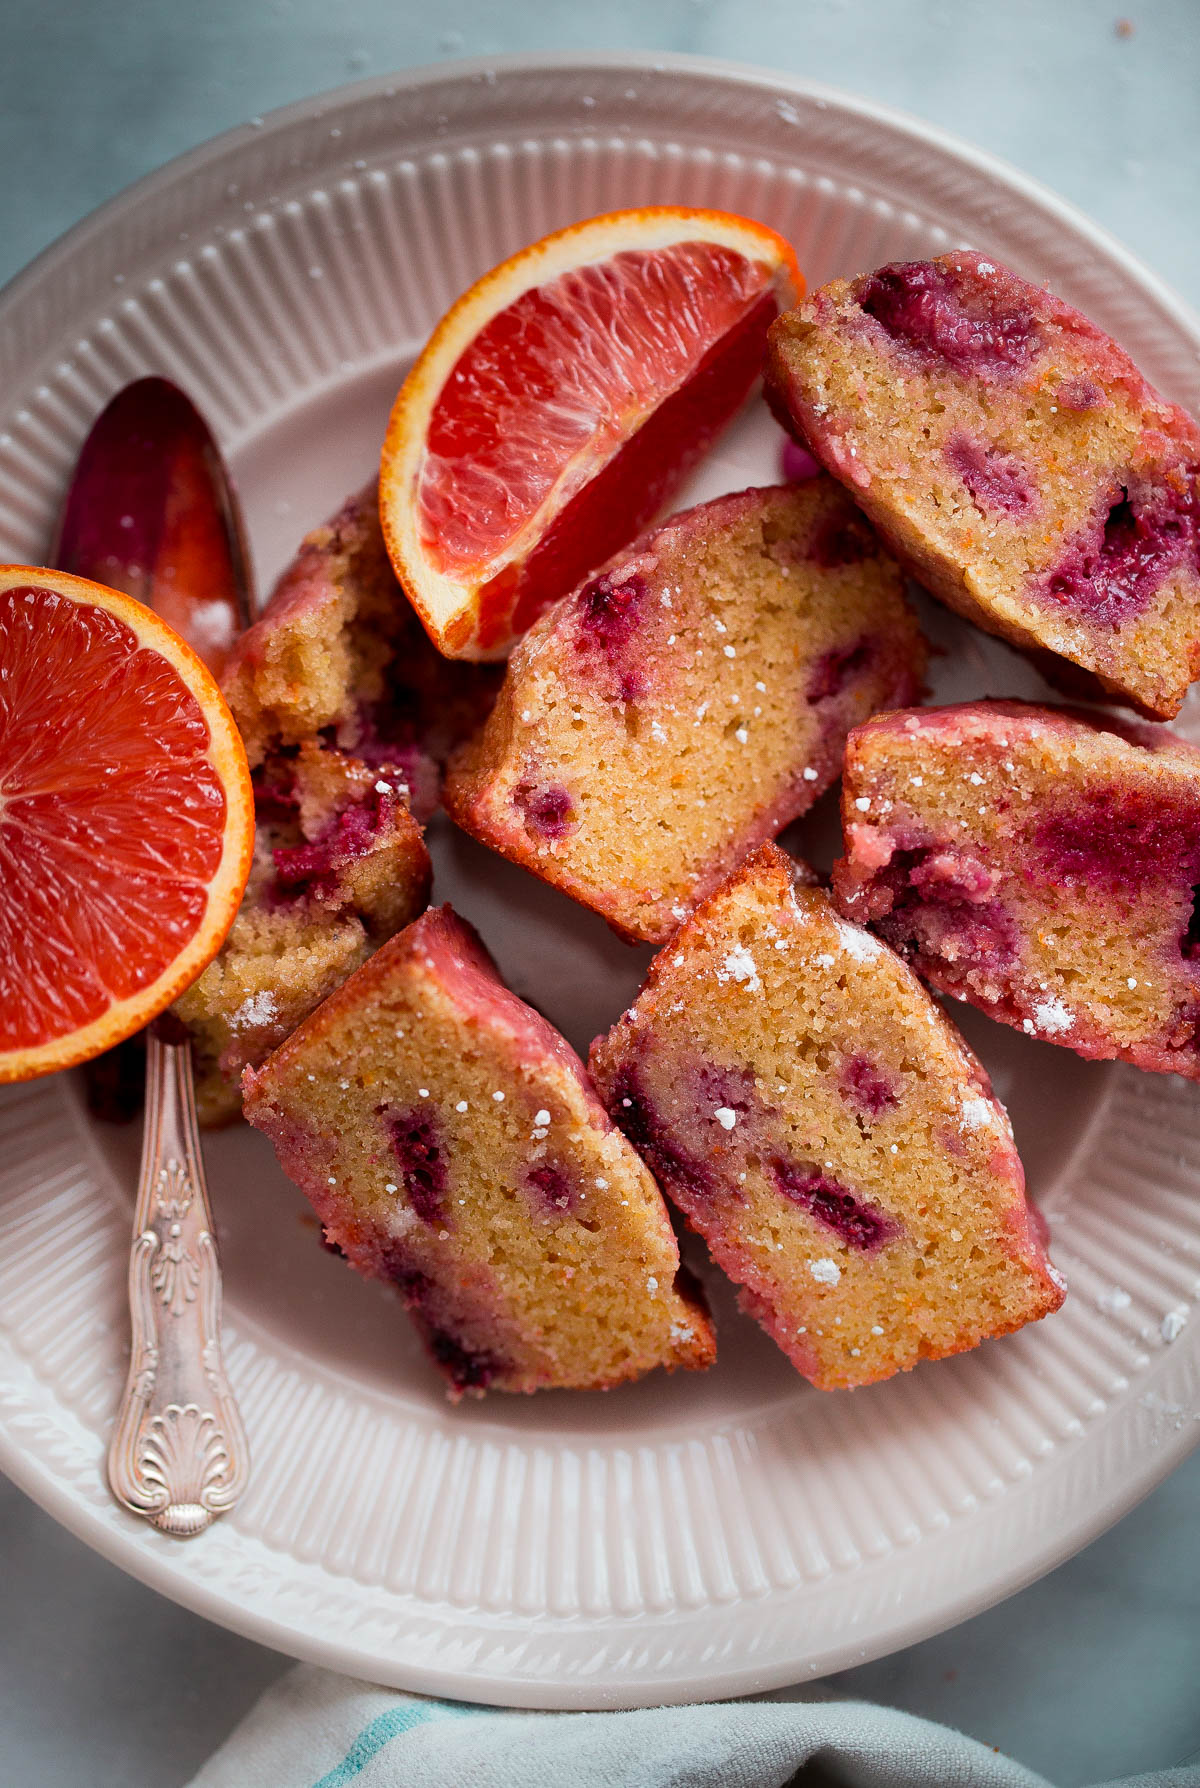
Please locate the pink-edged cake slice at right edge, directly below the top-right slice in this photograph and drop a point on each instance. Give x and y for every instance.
(1038, 863)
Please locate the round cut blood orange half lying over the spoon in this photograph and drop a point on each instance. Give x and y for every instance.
(126, 820)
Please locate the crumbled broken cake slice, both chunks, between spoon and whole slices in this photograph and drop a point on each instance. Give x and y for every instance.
(348, 716)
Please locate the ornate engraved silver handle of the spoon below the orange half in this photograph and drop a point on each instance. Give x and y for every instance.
(178, 1453)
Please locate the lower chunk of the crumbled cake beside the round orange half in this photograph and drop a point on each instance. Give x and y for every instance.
(339, 866)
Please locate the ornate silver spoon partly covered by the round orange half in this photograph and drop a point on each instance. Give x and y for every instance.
(151, 512)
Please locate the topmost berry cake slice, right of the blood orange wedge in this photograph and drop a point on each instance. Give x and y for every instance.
(1013, 457)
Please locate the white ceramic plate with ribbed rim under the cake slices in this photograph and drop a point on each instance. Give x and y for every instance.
(686, 1537)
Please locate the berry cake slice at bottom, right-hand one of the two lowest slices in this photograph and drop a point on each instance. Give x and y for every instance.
(827, 1131)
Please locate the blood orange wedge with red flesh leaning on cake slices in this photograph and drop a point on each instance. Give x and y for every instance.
(562, 401)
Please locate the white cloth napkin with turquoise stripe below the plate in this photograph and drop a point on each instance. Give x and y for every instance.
(316, 1730)
